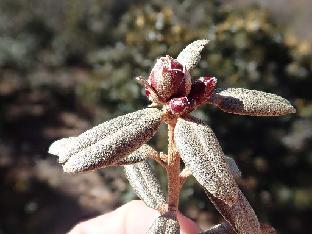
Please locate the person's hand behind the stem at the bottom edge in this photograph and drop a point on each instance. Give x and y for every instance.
(133, 217)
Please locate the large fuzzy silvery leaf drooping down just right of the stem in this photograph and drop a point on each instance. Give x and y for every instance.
(202, 154)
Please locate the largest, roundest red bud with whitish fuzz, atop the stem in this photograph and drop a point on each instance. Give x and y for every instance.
(168, 79)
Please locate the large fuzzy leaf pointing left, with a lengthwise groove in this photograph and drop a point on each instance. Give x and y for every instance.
(121, 136)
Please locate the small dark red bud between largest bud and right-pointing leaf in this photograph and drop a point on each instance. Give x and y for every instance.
(201, 90)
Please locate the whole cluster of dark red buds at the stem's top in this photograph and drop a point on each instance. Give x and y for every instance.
(170, 83)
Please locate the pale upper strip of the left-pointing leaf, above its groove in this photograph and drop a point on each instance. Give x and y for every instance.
(66, 147)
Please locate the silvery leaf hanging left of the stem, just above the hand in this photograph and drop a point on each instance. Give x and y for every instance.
(145, 183)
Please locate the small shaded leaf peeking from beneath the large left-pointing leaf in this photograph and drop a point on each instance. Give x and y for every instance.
(139, 155)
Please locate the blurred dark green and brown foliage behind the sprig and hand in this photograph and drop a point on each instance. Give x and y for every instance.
(67, 65)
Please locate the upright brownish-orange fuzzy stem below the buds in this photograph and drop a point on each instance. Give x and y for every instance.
(173, 170)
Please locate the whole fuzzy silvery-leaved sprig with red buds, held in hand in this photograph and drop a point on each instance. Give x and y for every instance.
(174, 94)
